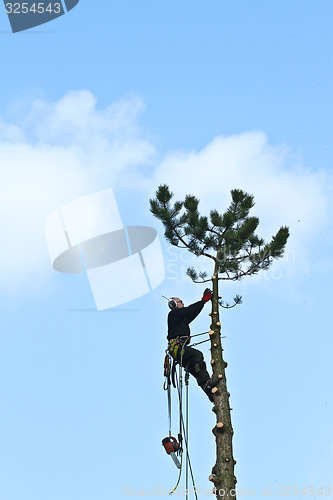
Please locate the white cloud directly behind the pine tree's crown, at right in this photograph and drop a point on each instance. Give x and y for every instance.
(285, 192)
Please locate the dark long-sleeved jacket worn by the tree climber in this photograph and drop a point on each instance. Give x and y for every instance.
(179, 319)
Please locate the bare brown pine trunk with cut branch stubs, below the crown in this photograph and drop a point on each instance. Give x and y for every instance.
(222, 475)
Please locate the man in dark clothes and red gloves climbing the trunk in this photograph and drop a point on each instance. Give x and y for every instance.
(179, 335)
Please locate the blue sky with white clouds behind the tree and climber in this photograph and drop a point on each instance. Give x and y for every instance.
(206, 97)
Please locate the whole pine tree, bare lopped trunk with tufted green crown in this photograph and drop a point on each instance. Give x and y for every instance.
(230, 242)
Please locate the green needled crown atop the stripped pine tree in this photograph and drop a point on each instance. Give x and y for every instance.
(229, 238)
